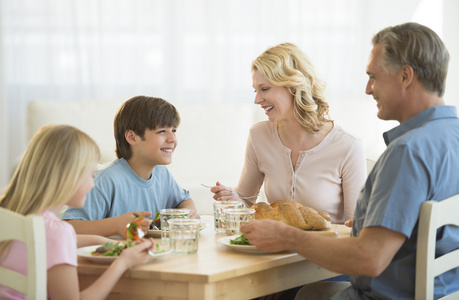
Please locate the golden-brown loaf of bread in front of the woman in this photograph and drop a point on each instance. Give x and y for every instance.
(292, 213)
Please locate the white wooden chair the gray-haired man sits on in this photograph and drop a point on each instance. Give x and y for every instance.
(434, 214)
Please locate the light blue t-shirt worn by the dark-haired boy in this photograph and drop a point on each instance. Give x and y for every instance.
(118, 190)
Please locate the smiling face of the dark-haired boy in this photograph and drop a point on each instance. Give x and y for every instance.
(157, 146)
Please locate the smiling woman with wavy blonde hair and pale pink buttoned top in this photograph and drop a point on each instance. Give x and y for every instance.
(300, 153)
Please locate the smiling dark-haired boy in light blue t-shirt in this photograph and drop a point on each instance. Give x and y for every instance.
(138, 182)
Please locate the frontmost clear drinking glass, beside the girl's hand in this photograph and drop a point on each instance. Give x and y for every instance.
(184, 235)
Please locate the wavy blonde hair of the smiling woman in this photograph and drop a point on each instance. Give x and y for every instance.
(286, 65)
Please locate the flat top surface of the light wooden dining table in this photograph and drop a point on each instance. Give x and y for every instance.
(213, 263)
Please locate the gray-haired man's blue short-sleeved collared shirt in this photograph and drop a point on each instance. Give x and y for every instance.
(421, 163)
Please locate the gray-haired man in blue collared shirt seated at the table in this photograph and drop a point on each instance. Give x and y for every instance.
(407, 72)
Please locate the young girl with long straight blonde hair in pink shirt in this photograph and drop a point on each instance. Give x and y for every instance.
(58, 169)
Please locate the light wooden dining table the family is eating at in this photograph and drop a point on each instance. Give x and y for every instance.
(216, 271)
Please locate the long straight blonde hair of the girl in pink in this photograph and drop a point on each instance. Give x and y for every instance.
(51, 170)
